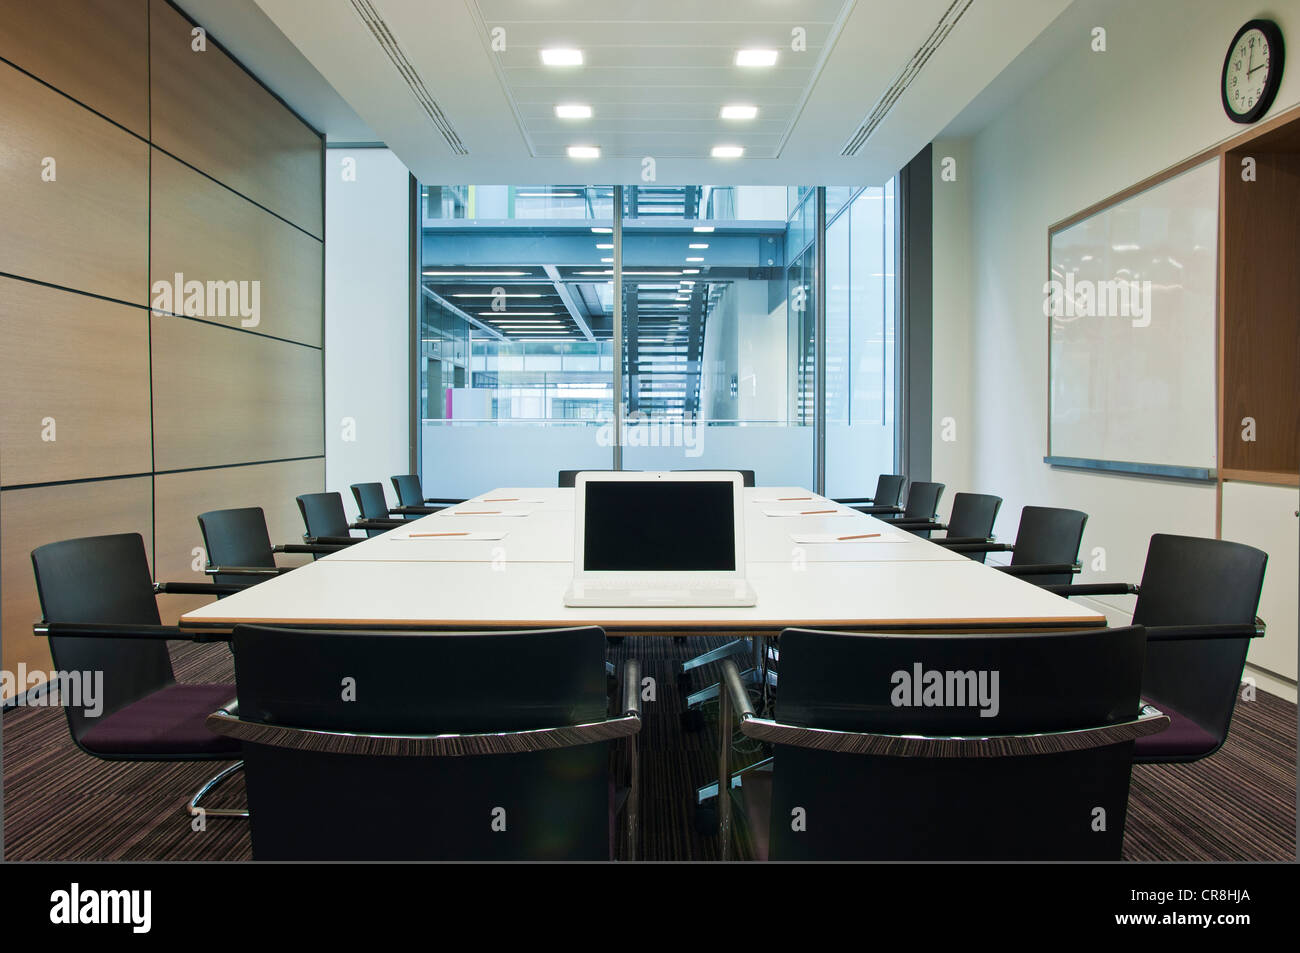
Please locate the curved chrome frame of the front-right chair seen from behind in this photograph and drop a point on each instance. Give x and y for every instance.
(1150, 722)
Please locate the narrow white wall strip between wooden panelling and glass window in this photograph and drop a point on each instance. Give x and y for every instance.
(367, 320)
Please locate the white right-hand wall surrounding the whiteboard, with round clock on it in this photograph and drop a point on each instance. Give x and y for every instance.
(1091, 127)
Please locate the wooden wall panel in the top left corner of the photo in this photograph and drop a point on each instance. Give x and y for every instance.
(97, 51)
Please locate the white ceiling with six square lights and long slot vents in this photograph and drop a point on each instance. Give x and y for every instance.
(458, 92)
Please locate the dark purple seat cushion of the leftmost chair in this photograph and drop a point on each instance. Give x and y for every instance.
(167, 722)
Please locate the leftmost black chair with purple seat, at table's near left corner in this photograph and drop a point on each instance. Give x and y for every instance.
(99, 612)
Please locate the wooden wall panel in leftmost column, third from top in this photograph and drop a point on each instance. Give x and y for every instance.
(84, 362)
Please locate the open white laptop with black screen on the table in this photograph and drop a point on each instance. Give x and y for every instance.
(660, 539)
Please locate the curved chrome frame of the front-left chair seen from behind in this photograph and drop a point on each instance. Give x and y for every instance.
(227, 722)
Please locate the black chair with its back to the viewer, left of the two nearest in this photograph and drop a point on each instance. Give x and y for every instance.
(431, 746)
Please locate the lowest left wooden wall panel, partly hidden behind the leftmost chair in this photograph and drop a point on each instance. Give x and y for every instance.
(38, 516)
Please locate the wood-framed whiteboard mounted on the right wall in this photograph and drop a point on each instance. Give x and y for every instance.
(1132, 302)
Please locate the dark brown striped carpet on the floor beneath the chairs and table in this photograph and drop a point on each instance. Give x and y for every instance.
(62, 804)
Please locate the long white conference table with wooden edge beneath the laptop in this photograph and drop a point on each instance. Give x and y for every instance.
(505, 558)
